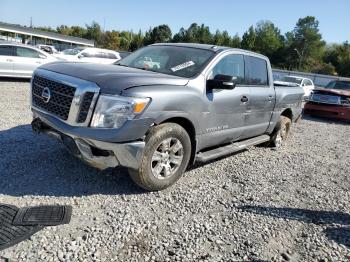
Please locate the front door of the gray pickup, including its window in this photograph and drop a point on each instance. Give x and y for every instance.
(224, 119)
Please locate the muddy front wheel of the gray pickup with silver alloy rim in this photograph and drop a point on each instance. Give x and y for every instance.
(166, 156)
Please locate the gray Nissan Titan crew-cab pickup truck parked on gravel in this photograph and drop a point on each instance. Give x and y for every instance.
(200, 103)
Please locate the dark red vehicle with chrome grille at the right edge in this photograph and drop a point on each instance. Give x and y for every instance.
(331, 101)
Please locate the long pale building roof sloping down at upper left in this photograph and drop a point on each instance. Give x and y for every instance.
(43, 34)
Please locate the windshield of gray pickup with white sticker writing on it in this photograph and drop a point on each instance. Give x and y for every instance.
(171, 60)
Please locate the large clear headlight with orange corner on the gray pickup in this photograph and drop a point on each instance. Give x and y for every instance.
(113, 111)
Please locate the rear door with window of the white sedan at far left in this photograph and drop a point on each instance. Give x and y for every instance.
(26, 60)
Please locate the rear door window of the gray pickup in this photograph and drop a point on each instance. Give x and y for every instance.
(256, 71)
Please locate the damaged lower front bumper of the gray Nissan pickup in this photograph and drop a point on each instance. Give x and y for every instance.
(96, 153)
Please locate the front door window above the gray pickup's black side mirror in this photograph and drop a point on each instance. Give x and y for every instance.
(232, 65)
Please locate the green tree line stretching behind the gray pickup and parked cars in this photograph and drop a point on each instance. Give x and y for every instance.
(302, 48)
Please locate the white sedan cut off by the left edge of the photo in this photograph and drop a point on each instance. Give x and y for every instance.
(17, 60)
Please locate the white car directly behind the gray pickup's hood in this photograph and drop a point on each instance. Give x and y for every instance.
(90, 55)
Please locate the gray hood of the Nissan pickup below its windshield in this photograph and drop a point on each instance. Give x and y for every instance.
(113, 79)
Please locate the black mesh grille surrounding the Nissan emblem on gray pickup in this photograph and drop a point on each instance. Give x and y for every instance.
(61, 96)
